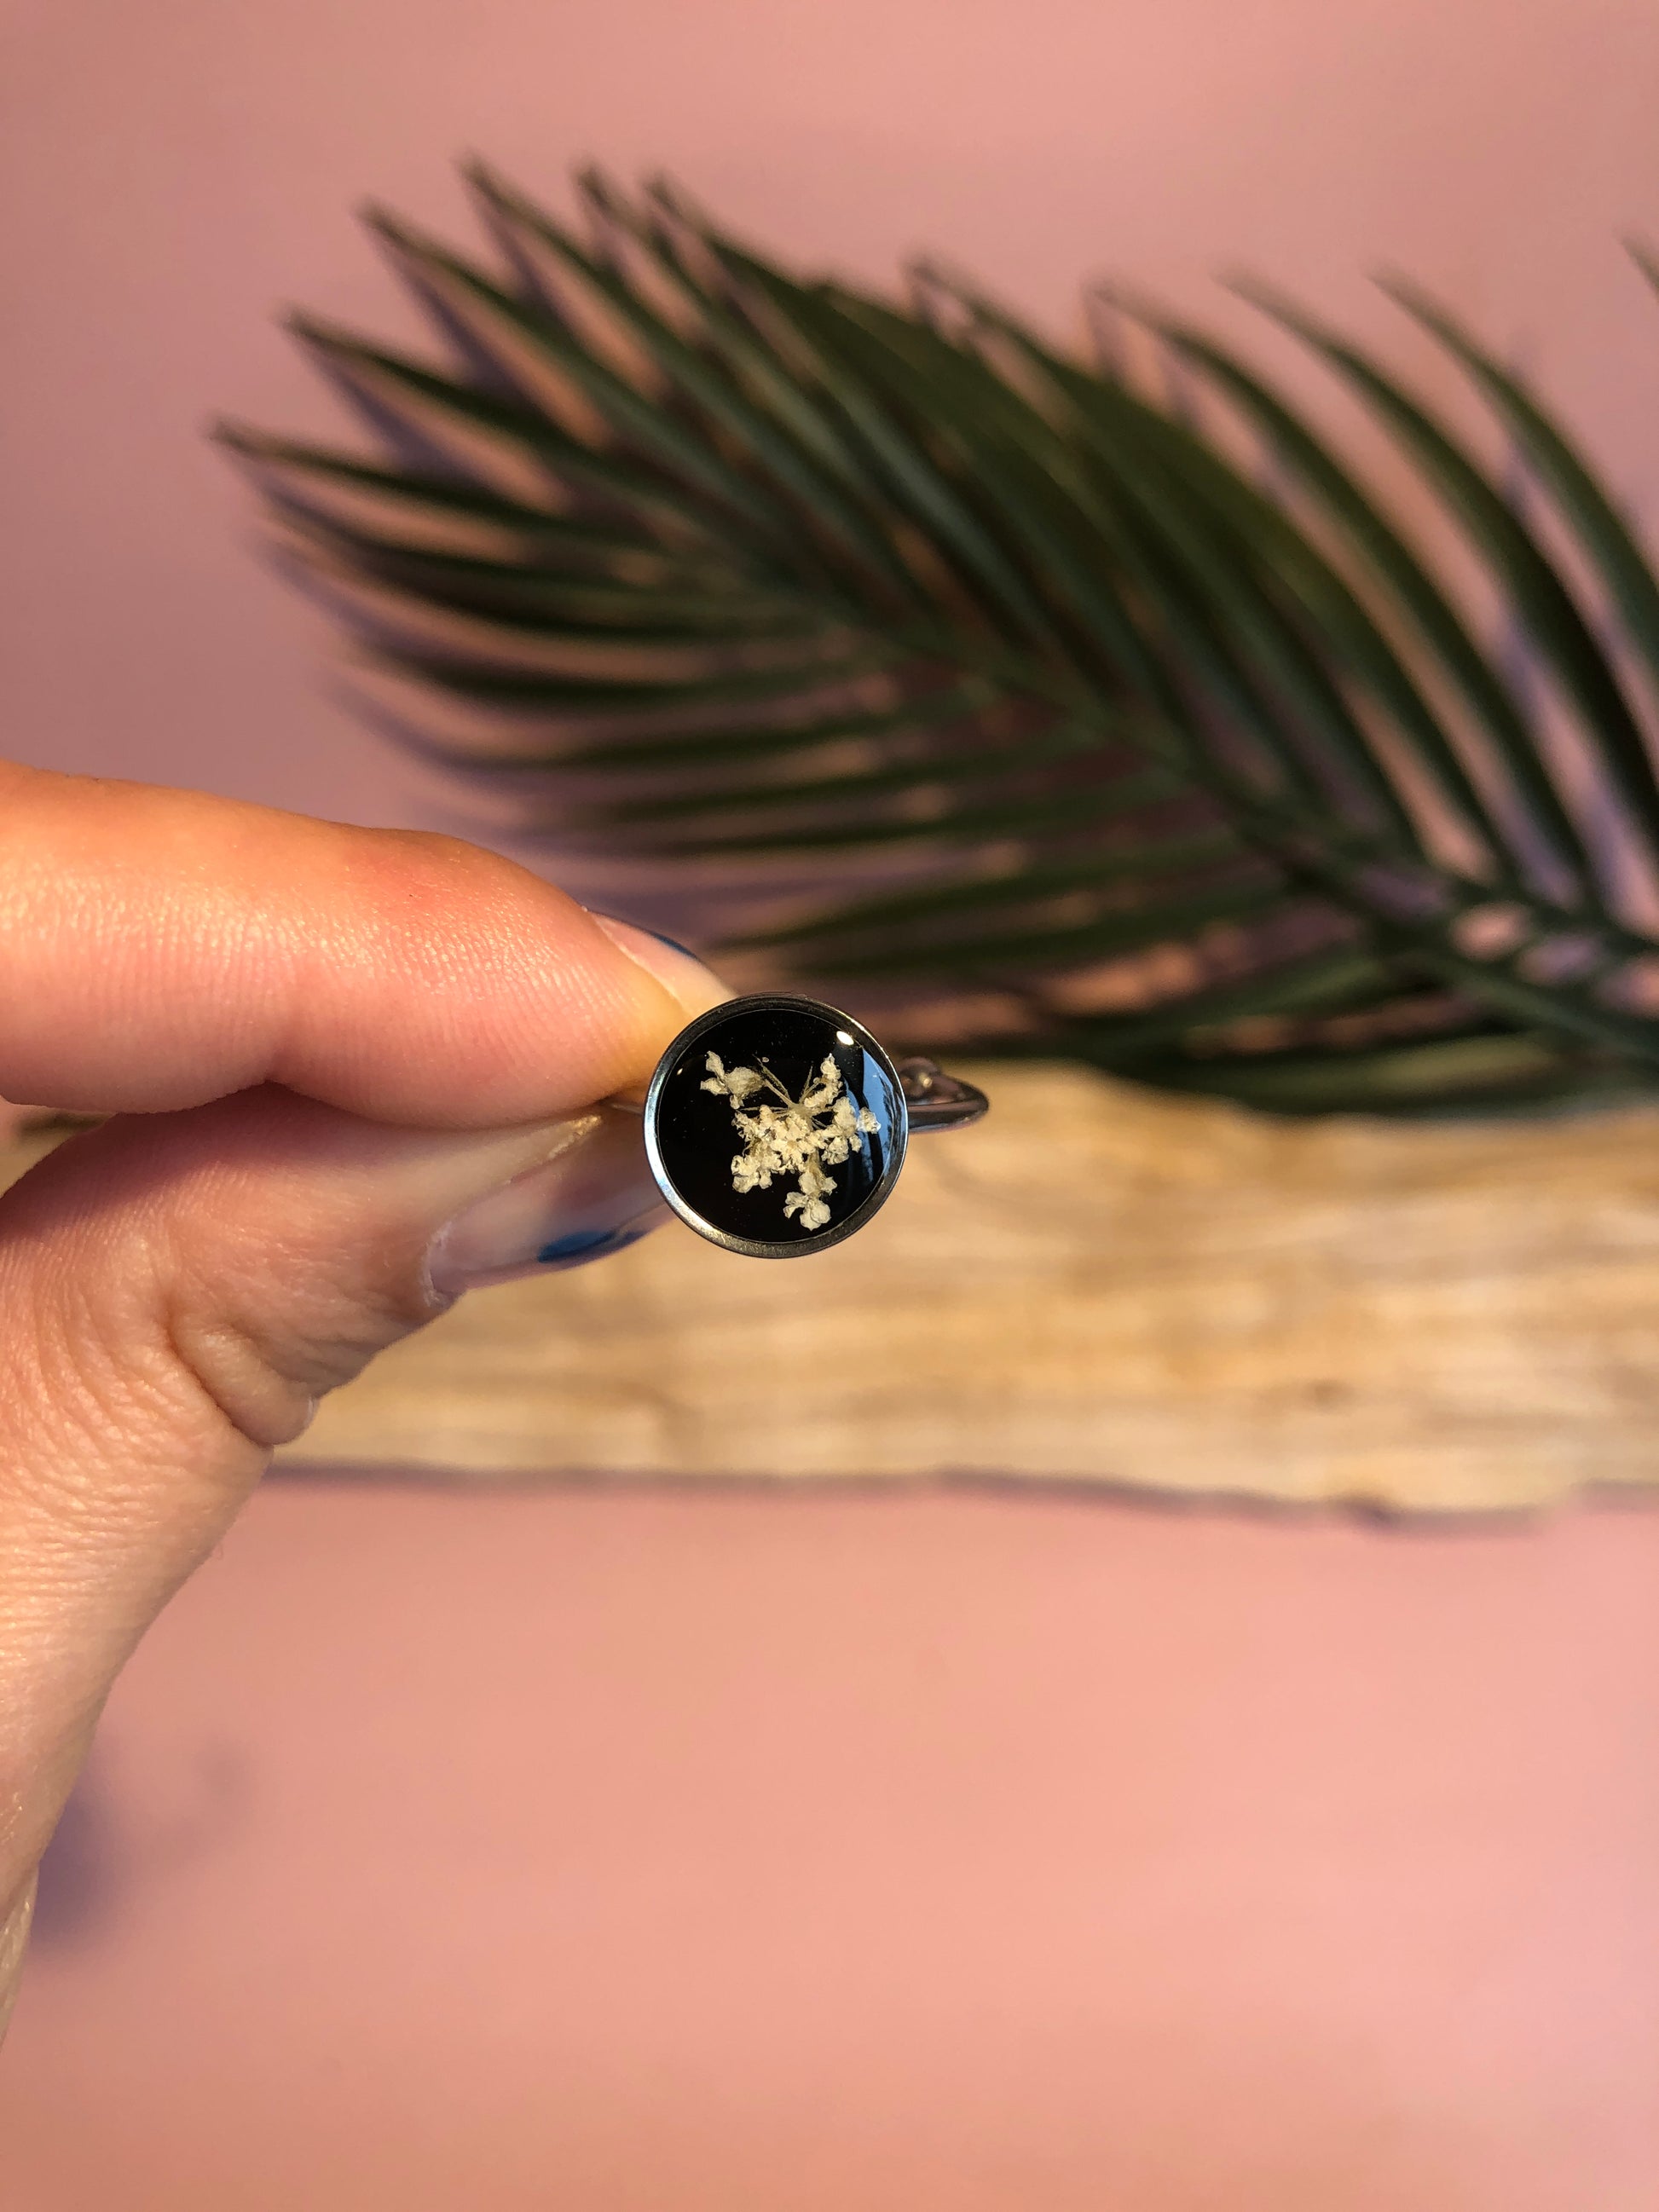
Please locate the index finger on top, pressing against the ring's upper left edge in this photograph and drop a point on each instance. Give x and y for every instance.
(167, 948)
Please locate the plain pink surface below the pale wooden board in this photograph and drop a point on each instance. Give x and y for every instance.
(921, 1855)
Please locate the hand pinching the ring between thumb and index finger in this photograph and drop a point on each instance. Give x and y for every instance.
(351, 1074)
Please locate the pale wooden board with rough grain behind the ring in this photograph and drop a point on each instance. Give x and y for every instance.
(1100, 1286)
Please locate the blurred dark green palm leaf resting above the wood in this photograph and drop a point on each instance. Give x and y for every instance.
(990, 691)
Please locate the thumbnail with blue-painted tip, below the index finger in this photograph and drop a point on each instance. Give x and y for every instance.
(589, 1198)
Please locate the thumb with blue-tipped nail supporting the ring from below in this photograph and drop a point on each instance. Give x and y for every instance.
(176, 1295)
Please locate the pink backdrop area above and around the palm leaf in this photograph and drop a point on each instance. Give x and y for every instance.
(180, 169)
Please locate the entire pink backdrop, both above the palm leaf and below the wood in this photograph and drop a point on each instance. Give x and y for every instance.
(755, 1855)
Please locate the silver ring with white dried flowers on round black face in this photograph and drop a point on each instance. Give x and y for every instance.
(778, 1125)
